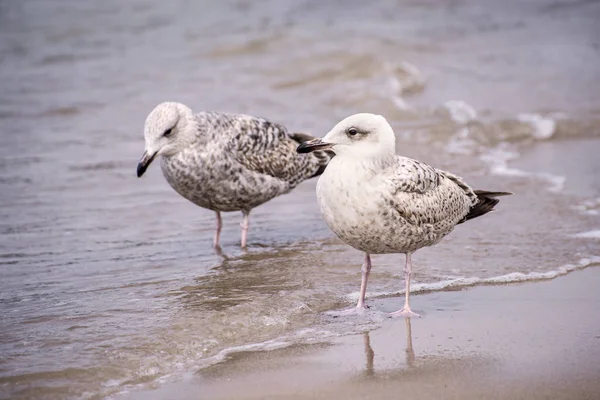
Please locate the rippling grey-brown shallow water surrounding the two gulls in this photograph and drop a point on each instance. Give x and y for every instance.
(109, 283)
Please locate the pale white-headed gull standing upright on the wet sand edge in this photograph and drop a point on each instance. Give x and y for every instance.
(380, 203)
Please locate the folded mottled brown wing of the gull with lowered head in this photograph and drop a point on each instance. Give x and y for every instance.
(265, 147)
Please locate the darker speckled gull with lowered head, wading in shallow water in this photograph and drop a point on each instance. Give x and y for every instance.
(226, 162)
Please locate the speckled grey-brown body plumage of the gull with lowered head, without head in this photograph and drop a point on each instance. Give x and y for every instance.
(237, 162)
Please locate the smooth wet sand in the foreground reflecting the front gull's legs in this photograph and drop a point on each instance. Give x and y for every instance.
(536, 340)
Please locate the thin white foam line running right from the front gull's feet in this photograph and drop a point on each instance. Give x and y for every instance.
(514, 277)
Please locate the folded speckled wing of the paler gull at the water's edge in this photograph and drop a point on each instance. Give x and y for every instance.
(422, 194)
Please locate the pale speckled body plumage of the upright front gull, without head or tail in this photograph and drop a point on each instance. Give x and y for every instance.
(397, 206)
